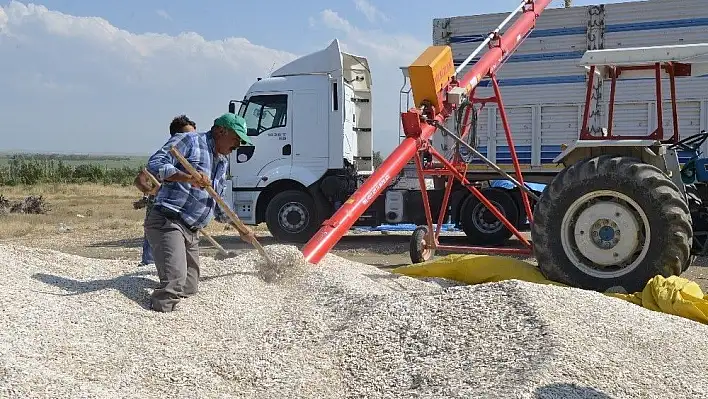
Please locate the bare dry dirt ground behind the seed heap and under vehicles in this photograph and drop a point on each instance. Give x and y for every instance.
(100, 222)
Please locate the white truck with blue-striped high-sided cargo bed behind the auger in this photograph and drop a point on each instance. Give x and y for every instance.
(311, 120)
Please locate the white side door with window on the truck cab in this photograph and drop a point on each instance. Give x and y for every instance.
(269, 125)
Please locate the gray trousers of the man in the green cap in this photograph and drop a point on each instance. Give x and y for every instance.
(176, 252)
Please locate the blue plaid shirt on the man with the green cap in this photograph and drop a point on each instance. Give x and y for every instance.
(194, 205)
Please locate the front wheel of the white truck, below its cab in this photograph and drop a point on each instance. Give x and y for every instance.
(291, 216)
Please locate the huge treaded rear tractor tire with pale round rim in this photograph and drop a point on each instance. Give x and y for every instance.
(611, 223)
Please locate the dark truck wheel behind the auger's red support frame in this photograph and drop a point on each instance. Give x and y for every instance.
(479, 223)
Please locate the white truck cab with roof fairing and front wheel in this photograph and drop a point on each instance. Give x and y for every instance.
(311, 126)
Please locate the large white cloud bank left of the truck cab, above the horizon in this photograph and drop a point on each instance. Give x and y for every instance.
(81, 84)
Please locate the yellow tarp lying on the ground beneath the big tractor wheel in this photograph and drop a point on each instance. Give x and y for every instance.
(673, 295)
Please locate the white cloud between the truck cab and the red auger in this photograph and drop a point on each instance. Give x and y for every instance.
(387, 52)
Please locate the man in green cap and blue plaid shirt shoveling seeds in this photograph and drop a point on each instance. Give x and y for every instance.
(182, 206)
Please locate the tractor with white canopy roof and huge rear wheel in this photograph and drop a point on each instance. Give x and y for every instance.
(626, 208)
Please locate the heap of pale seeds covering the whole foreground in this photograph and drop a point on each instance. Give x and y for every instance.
(78, 327)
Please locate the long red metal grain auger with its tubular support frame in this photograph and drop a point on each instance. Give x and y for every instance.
(419, 125)
